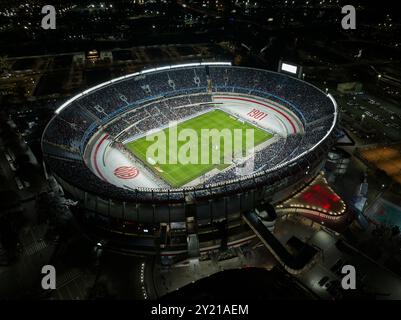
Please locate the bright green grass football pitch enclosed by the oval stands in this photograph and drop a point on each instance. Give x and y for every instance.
(178, 174)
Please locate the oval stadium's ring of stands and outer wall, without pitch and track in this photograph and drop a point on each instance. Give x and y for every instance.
(162, 220)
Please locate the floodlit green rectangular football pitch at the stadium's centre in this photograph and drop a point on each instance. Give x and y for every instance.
(216, 141)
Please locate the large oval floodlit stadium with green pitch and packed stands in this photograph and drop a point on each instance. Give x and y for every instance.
(96, 147)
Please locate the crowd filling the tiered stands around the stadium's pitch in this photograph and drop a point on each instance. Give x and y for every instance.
(136, 105)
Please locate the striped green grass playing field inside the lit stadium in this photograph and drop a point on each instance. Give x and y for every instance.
(180, 174)
